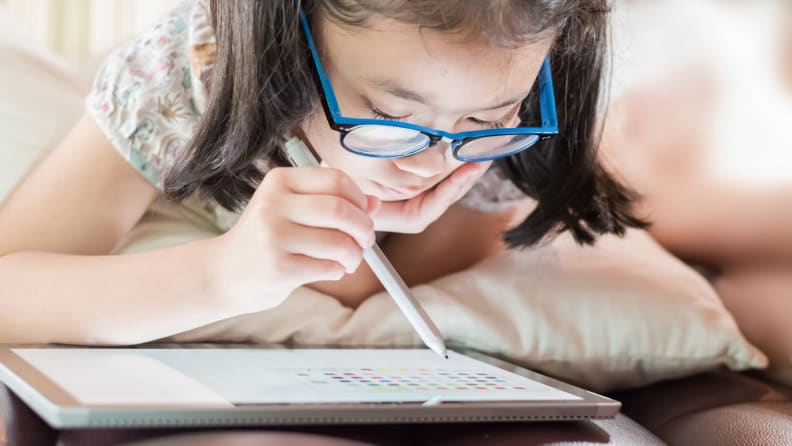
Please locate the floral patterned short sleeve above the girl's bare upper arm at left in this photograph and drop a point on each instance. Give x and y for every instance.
(145, 97)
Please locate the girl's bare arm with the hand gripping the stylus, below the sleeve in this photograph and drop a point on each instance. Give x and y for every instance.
(58, 285)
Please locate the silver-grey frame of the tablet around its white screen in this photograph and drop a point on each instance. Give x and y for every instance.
(59, 409)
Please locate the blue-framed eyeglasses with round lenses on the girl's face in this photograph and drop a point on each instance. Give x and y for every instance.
(382, 138)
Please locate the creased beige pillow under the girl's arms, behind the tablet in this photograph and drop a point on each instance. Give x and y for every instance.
(621, 314)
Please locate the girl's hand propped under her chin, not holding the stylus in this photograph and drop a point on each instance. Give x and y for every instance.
(416, 214)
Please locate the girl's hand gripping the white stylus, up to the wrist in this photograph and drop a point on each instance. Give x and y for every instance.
(302, 225)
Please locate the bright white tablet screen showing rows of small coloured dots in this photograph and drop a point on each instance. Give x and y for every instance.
(226, 377)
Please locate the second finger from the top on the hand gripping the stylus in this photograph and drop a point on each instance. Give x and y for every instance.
(330, 212)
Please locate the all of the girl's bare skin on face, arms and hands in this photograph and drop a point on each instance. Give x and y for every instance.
(303, 226)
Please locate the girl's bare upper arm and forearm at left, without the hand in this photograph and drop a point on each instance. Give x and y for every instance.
(76, 204)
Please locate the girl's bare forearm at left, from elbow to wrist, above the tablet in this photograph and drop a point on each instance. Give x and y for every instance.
(107, 300)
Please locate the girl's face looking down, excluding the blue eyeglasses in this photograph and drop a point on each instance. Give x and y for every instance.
(393, 70)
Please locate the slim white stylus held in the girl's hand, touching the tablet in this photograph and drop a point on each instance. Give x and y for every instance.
(301, 156)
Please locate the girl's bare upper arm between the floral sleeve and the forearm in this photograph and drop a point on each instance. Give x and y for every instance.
(81, 198)
